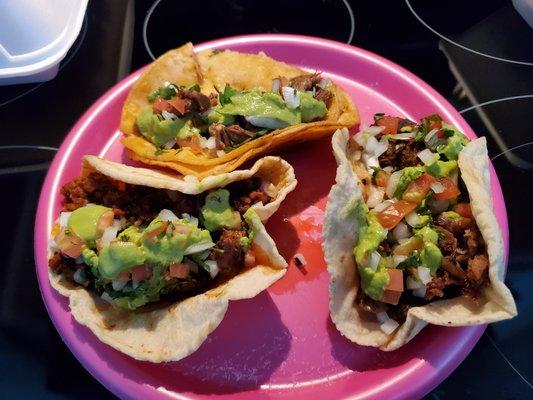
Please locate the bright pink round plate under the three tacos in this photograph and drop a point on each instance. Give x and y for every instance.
(282, 343)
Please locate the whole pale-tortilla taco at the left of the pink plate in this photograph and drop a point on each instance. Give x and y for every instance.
(149, 262)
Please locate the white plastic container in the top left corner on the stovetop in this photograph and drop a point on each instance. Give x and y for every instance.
(35, 35)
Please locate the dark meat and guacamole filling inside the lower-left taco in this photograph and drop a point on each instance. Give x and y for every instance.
(135, 245)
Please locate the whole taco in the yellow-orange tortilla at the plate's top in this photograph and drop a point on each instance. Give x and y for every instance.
(207, 113)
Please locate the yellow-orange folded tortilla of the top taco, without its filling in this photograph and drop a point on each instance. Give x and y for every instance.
(214, 70)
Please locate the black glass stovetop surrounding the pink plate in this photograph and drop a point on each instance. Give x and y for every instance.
(471, 52)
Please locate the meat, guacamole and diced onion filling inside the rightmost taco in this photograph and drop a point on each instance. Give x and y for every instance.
(418, 240)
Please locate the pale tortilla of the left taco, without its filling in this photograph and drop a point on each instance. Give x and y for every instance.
(174, 331)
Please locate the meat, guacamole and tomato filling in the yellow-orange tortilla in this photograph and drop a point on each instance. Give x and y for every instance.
(215, 124)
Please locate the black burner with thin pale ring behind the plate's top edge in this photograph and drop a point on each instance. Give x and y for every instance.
(237, 17)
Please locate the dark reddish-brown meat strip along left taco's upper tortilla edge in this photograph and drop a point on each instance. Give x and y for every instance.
(138, 204)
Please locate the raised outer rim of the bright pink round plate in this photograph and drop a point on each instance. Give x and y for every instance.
(418, 387)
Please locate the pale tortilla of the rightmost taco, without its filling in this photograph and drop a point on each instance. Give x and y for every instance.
(340, 235)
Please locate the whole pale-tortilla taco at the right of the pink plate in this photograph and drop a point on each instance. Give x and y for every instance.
(410, 237)
